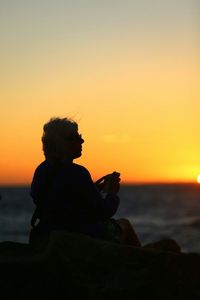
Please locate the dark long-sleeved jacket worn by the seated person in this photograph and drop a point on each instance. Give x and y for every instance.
(68, 199)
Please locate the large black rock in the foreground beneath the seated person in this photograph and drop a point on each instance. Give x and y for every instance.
(70, 266)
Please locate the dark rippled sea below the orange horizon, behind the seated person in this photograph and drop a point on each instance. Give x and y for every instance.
(156, 211)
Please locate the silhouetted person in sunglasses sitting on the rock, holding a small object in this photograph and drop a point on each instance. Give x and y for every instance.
(66, 197)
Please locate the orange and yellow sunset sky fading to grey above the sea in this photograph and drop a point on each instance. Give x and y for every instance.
(127, 71)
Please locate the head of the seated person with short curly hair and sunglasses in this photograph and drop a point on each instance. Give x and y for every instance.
(61, 140)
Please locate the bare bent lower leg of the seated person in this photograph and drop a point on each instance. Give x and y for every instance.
(129, 235)
